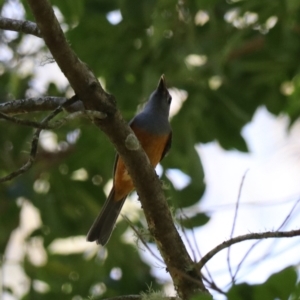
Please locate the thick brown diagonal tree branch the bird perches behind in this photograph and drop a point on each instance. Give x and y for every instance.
(89, 90)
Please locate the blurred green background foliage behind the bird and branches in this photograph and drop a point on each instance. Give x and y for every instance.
(228, 57)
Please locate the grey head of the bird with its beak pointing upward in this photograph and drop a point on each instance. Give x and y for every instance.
(160, 100)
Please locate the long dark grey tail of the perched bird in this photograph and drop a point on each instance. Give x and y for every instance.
(104, 224)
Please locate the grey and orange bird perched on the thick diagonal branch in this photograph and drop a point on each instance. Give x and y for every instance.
(153, 130)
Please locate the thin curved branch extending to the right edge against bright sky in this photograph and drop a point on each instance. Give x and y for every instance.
(246, 237)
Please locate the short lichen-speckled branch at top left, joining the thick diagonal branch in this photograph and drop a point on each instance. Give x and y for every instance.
(19, 26)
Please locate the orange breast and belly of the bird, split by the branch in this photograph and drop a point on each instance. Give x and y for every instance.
(153, 145)
